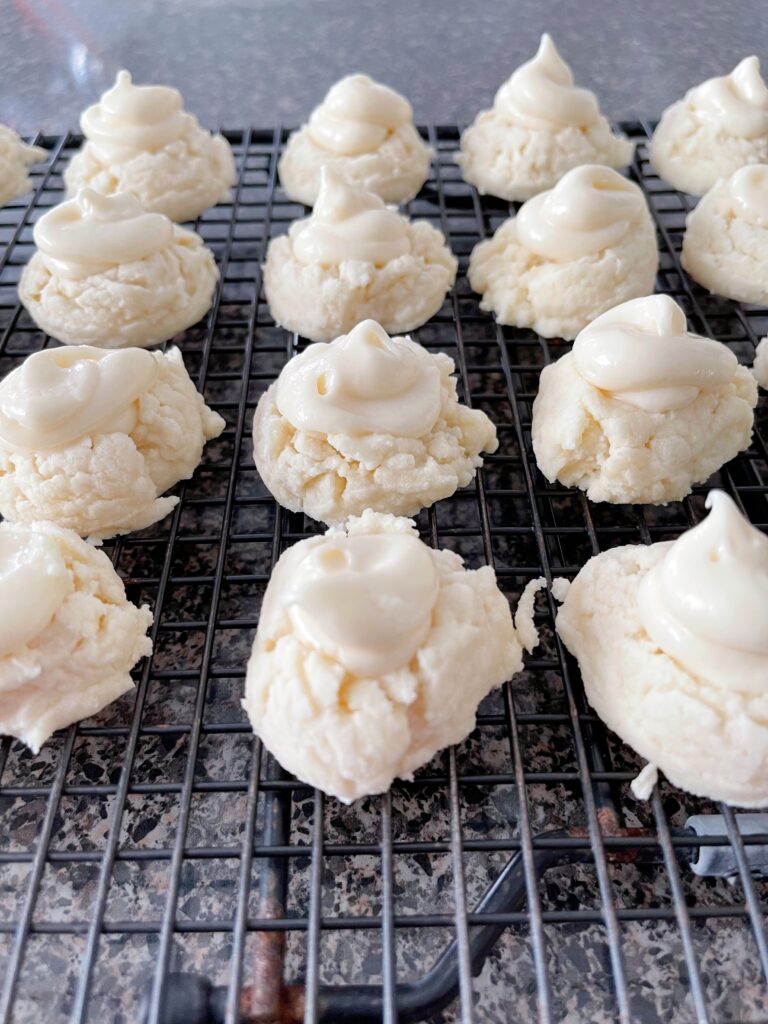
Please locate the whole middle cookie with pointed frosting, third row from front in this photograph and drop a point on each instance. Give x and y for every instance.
(356, 260)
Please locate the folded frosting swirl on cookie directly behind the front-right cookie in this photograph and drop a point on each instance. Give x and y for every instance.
(642, 354)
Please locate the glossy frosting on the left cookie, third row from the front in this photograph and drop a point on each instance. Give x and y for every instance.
(93, 233)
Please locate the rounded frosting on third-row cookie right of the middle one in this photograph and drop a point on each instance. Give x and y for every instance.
(590, 209)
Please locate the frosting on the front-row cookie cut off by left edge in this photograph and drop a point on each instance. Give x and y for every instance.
(34, 582)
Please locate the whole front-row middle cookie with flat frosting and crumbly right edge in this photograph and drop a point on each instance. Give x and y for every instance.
(373, 653)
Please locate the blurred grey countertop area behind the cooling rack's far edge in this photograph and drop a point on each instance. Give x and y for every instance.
(268, 62)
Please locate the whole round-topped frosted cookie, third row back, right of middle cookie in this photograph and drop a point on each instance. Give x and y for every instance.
(569, 255)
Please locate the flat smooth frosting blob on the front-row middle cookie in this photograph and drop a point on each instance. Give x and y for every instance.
(366, 601)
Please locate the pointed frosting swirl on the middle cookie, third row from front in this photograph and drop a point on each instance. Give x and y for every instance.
(349, 224)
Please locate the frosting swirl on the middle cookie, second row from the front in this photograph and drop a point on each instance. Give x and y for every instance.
(362, 383)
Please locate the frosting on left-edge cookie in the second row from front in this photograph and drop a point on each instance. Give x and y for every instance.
(59, 396)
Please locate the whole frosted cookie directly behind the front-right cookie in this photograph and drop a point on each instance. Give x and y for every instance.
(641, 410)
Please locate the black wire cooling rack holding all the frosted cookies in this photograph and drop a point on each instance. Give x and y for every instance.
(155, 859)
